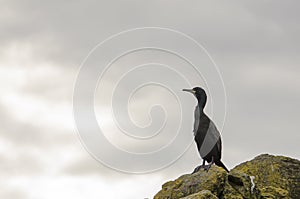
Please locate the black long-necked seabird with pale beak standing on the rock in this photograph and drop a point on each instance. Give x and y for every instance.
(207, 136)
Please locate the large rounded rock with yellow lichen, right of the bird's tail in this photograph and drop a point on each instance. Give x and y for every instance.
(274, 175)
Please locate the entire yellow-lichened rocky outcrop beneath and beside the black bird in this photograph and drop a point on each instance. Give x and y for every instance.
(264, 177)
